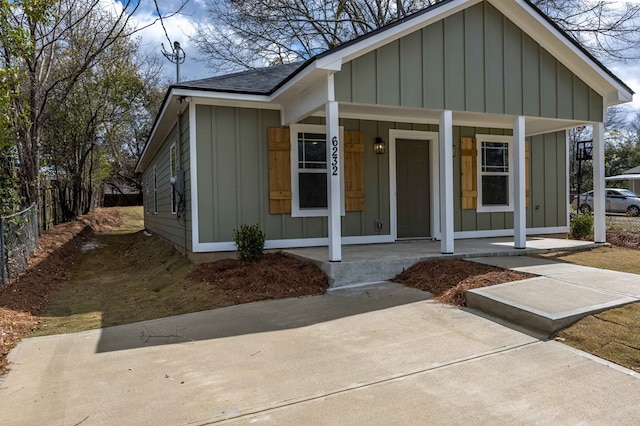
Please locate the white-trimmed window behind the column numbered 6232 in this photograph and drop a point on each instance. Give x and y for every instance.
(309, 170)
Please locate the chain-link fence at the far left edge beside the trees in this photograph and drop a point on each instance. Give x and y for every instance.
(18, 240)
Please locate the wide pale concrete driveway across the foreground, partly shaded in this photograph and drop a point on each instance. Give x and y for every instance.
(374, 355)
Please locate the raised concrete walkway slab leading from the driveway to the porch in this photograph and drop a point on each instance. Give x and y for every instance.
(562, 294)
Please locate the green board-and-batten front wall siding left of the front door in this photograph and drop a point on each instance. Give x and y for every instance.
(233, 177)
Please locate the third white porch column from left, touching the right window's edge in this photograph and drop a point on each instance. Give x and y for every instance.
(519, 190)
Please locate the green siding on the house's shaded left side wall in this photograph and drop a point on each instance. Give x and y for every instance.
(164, 222)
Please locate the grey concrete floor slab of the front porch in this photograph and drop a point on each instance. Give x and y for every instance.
(370, 263)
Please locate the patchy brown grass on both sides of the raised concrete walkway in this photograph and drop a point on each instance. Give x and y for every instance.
(612, 335)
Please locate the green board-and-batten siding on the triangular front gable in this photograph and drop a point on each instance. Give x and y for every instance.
(476, 60)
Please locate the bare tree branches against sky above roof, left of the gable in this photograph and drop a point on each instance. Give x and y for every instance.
(240, 34)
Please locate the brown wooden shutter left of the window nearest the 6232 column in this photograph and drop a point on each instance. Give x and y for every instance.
(279, 171)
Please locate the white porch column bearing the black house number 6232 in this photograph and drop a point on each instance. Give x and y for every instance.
(333, 177)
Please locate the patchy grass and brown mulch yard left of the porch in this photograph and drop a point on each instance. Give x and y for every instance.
(123, 276)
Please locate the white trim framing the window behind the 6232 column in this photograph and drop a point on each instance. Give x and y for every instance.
(296, 211)
